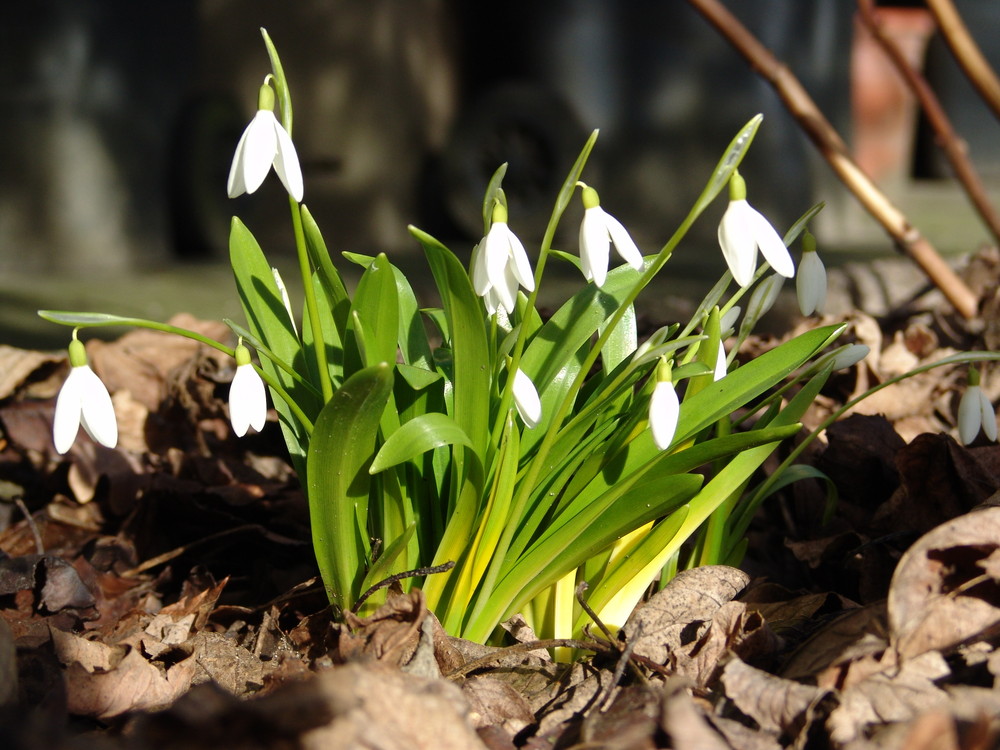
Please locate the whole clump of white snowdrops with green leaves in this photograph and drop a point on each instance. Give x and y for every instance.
(516, 456)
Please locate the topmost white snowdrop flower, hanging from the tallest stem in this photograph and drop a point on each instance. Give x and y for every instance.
(265, 143)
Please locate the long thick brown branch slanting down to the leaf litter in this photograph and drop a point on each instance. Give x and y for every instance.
(798, 102)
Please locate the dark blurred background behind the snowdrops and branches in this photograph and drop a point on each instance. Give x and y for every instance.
(121, 117)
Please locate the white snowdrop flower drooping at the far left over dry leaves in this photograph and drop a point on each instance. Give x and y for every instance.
(85, 400)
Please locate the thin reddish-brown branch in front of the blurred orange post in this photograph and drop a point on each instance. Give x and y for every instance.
(954, 148)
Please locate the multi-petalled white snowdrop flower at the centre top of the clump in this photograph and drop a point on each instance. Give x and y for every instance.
(499, 264)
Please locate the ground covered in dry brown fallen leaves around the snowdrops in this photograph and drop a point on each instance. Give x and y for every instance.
(163, 594)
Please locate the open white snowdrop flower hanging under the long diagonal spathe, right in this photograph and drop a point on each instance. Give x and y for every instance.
(742, 230)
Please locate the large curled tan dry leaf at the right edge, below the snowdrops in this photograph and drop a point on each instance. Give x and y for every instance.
(942, 592)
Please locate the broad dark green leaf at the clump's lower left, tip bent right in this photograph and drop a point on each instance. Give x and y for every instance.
(337, 479)
